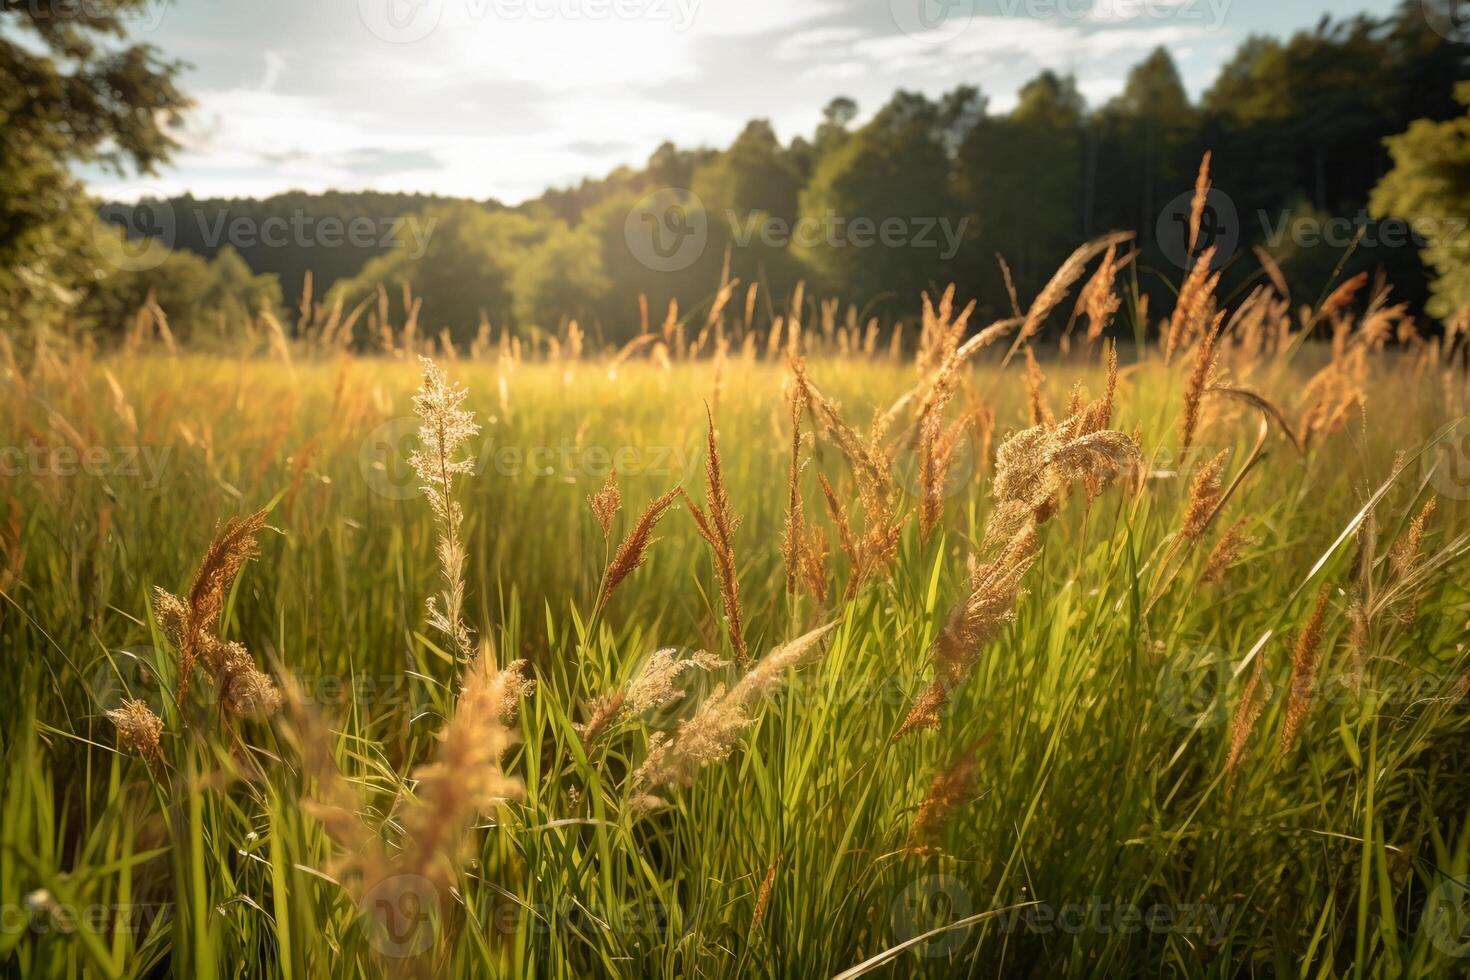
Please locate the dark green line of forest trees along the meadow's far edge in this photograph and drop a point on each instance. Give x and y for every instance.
(922, 193)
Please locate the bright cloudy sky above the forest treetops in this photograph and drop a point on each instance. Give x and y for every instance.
(508, 98)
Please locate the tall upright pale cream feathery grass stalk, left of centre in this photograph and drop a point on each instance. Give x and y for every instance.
(445, 427)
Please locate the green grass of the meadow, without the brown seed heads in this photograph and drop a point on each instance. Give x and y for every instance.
(1103, 728)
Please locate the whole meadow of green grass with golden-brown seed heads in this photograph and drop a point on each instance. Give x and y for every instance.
(1116, 746)
